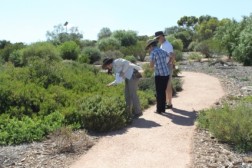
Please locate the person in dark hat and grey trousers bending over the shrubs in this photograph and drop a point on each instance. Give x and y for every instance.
(129, 72)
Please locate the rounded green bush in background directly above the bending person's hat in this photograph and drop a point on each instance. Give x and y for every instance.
(108, 44)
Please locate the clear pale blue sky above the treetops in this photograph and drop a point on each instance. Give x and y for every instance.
(28, 20)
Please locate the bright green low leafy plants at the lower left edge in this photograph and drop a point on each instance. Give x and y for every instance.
(26, 129)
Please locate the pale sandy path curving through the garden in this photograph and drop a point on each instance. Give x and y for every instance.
(157, 141)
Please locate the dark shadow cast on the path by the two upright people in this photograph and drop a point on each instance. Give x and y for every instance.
(185, 118)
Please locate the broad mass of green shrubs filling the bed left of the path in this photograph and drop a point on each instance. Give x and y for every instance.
(30, 95)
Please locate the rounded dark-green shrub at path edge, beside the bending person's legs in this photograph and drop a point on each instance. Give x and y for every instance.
(102, 113)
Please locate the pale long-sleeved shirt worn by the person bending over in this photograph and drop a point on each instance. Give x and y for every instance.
(125, 66)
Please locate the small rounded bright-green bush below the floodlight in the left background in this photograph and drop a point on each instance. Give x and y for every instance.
(69, 50)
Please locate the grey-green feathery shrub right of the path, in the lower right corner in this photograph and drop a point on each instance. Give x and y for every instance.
(230, 124)
